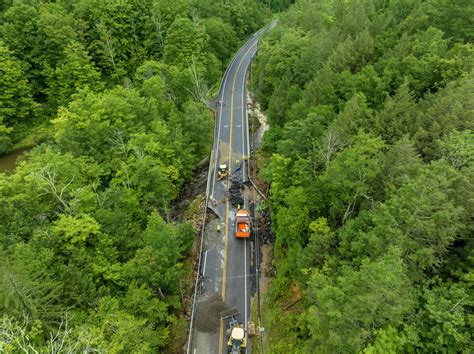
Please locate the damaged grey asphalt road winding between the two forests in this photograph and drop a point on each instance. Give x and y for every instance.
(227, 264)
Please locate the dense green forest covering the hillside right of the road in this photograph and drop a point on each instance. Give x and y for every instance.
(370, 160)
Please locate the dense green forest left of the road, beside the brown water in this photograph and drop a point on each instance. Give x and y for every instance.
(115, 91)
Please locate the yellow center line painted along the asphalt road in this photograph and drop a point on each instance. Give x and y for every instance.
(226, 234)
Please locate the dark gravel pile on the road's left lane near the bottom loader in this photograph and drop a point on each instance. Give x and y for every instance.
(209, 314)
